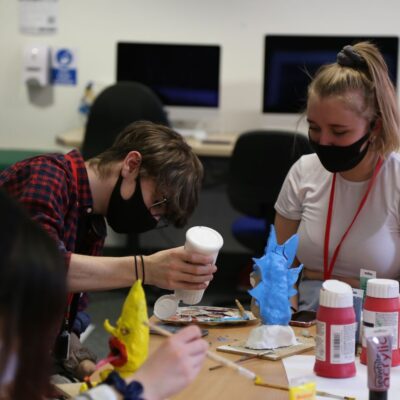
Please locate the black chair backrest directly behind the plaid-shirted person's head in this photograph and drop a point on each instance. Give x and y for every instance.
(116, 107)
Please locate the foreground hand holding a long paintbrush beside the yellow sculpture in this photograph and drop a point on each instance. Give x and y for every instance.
(173, 365)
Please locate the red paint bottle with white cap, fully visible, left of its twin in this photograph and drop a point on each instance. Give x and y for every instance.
(336, 328)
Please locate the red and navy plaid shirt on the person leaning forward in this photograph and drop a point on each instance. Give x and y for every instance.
(45, 185)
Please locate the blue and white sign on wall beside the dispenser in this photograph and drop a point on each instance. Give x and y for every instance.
(63, 70)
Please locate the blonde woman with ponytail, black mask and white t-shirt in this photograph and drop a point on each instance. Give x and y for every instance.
(344, 200)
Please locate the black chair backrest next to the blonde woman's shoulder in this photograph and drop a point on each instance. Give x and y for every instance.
(258, 166)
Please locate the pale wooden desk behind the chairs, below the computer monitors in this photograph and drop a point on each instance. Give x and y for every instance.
(212, 146)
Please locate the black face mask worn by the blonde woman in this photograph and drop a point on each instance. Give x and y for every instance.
(340, 158)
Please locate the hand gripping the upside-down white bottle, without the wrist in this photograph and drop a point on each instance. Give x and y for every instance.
(179, 269)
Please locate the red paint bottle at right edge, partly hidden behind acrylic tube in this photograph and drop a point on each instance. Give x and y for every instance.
(381, 309)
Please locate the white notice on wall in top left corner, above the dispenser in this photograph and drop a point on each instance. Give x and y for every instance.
(38, 16)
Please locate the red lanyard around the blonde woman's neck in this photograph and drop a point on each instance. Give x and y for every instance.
(328, 267)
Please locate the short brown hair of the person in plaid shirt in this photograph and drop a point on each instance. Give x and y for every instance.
(167, 158)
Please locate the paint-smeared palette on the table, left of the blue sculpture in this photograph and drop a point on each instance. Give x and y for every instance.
(208, 315)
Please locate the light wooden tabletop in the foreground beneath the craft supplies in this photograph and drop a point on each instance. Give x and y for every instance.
(224, 383)
